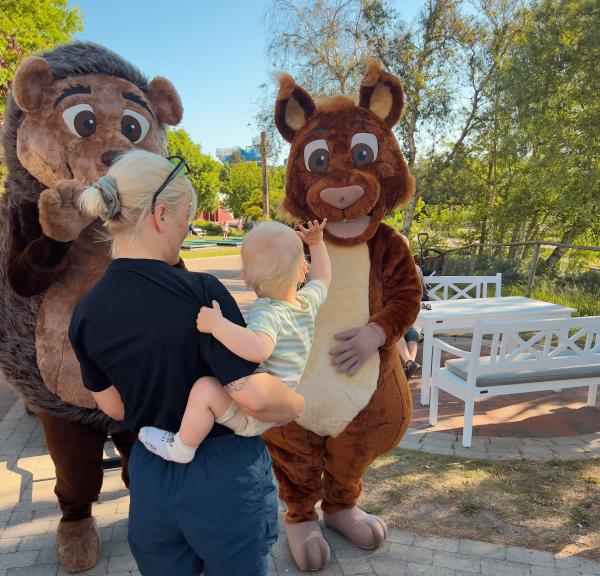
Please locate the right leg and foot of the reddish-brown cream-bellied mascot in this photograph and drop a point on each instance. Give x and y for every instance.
(376, 429)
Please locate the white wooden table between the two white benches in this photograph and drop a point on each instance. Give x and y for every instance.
(461, 315)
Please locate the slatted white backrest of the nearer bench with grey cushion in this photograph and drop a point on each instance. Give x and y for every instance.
(525, 345)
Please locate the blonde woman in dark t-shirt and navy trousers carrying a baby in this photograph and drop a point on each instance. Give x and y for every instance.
(135, 336)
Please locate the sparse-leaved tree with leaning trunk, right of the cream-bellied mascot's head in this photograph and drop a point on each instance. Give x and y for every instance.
(444, 58)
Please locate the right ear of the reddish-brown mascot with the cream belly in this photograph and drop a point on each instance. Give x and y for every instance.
(381, 93)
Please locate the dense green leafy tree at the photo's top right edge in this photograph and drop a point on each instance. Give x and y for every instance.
(551, 87)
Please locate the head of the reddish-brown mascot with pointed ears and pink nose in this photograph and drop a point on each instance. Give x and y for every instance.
(345, 163)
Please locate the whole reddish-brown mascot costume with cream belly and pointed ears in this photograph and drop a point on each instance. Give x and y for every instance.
(345, 165)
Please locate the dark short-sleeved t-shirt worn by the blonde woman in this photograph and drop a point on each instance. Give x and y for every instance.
(136, 330)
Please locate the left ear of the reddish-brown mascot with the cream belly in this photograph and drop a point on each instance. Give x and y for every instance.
(293, 107)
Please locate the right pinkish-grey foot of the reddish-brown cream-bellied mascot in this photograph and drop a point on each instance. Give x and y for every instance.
(362, 529)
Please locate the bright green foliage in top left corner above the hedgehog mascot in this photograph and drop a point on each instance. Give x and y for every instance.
(30, 26)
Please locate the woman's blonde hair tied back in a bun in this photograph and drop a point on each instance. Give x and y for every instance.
(135, 176)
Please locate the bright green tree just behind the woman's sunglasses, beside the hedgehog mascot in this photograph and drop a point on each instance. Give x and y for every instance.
(204, 171)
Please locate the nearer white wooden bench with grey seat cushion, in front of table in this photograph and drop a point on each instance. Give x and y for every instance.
(525, 356)
